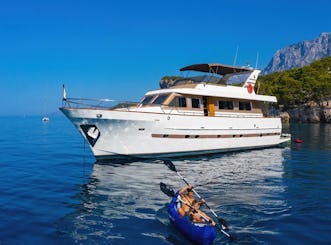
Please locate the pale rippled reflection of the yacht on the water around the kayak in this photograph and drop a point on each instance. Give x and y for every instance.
(123, 203)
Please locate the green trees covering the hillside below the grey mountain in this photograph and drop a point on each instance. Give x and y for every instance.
(300, 85)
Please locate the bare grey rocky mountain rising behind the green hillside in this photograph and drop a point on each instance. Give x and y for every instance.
(300, 54)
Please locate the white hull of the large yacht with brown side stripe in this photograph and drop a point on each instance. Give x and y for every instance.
(117, 133)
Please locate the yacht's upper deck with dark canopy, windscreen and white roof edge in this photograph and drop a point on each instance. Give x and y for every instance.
(217, 81)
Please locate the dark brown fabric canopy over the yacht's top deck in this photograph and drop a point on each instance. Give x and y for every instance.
(216, 68)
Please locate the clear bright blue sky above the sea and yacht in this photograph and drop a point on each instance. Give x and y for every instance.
(119, 49)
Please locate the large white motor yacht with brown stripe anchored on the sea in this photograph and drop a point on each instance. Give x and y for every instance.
(197, 115)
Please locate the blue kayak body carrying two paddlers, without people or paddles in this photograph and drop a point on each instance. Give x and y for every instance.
(197, 233)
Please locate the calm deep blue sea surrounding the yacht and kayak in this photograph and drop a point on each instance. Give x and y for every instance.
(52, 192)
